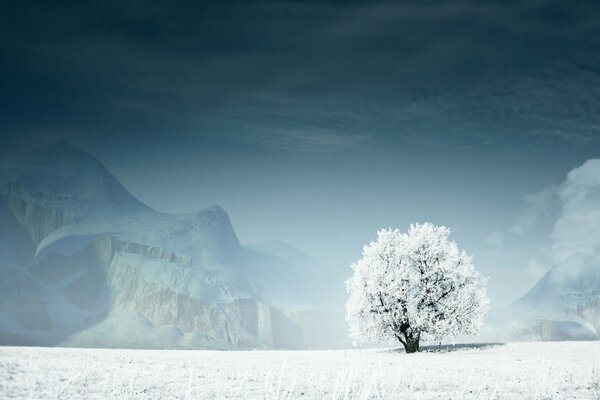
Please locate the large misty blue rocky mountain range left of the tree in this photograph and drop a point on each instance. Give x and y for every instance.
(85, 263)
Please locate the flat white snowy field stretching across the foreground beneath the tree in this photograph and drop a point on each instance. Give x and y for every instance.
(559, 370)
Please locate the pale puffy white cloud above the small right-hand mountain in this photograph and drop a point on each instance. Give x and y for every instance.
(577, 228)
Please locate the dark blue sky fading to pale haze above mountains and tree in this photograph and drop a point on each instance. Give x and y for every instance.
(319, 122)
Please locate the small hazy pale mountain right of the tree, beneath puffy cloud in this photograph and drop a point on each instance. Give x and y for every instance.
(563, 305)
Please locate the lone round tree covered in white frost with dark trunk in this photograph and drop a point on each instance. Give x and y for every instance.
(414, 286)
